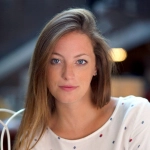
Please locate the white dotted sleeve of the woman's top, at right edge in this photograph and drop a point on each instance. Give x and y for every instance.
(140, 137)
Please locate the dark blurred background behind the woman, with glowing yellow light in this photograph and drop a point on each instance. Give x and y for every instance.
(124, 23)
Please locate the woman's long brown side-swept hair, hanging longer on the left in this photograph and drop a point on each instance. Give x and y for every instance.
(39, 101)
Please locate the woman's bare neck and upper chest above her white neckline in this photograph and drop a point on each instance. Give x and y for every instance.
(79, 119)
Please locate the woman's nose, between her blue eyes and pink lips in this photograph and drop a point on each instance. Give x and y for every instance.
(68, 72)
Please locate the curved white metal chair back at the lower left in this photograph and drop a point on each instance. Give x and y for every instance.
(5, 127)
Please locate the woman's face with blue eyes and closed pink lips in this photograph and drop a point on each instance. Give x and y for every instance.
(71, 68)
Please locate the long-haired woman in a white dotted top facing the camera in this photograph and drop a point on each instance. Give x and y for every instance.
(68, 103)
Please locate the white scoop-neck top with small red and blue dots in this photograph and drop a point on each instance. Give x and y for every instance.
(127, 129)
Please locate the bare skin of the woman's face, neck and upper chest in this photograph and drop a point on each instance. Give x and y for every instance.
(69, 74)
